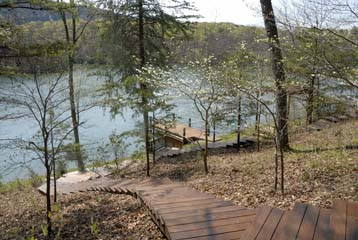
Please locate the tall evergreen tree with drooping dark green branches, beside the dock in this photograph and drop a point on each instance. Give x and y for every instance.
(139, 30)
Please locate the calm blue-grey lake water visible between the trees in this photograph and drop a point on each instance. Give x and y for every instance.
(97, 127)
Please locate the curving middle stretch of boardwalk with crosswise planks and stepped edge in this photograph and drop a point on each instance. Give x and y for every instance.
(183, 213)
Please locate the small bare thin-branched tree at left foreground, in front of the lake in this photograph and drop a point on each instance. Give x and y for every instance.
(42, 101)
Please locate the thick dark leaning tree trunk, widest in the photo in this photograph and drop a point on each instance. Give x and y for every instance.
(278, 71)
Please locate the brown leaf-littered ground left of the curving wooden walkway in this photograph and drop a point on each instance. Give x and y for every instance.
(80, 216)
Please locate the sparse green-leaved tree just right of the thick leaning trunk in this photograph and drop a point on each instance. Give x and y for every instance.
(305, 48)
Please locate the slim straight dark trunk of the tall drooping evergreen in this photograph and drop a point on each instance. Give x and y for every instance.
(143, 86)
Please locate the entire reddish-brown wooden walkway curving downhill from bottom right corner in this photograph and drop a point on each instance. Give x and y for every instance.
(181, 212)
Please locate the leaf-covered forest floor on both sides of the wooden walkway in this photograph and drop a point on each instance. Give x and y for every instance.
(320, 167)
